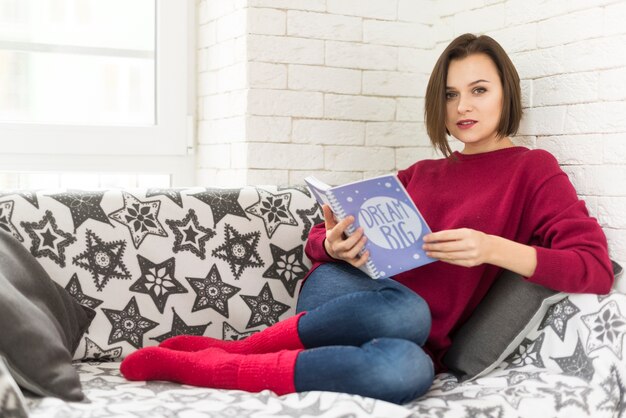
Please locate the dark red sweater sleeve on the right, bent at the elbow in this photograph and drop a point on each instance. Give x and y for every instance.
(572, 250)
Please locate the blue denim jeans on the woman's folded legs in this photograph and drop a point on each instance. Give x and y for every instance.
(362, 336)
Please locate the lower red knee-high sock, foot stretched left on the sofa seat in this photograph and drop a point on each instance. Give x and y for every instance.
(214, 368)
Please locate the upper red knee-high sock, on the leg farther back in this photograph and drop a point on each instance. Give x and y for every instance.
(282, 335)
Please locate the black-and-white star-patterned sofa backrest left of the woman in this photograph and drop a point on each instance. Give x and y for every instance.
(157, 263)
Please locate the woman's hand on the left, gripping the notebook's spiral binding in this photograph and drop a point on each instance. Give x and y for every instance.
(338, 245)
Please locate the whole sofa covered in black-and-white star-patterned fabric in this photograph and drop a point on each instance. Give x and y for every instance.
(154, 263)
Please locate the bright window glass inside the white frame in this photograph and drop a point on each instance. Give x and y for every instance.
(78, 62)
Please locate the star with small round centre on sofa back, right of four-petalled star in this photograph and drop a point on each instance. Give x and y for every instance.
(212, 292)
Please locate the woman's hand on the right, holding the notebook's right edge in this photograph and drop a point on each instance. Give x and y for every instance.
(463, 247)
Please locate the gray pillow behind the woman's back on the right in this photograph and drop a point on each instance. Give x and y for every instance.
(510, 310)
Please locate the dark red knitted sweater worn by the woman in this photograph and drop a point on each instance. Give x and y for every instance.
(515, 193)
